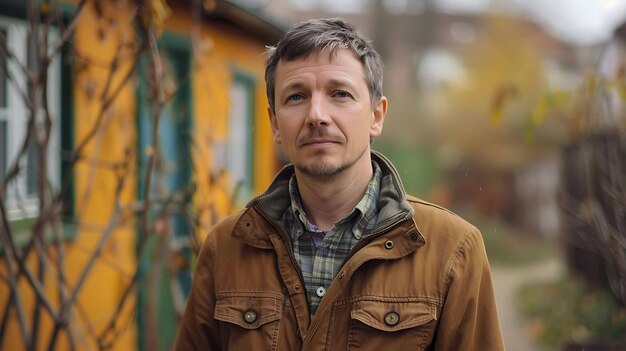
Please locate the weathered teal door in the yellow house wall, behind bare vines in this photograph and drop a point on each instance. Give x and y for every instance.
(164, 281)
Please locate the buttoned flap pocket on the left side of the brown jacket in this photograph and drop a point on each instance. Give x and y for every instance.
(249, 320)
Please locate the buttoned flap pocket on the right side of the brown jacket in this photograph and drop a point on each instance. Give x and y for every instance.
(382, 325)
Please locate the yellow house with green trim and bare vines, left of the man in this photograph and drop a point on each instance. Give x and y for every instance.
(99, 257)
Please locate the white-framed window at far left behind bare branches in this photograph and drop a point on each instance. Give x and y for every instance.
(22, 191)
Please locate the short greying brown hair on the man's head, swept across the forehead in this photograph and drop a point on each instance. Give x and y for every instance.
(317, 35)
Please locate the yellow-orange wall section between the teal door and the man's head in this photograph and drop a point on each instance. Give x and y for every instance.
(217, 50)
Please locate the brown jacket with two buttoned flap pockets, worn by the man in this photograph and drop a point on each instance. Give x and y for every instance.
(421, 283)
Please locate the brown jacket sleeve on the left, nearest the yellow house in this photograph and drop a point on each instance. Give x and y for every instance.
(198, 330)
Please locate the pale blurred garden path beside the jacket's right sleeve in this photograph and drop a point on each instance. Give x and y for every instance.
(507, 282)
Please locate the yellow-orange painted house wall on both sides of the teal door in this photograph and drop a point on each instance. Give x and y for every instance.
(97, 40)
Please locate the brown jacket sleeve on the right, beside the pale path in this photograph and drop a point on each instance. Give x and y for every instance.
(469, 319)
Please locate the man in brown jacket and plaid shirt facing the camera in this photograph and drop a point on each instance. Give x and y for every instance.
(334, 255)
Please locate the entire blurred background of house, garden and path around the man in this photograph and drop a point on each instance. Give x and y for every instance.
(129, 127)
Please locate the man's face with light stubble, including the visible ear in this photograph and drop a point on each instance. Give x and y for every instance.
(323, 117)
